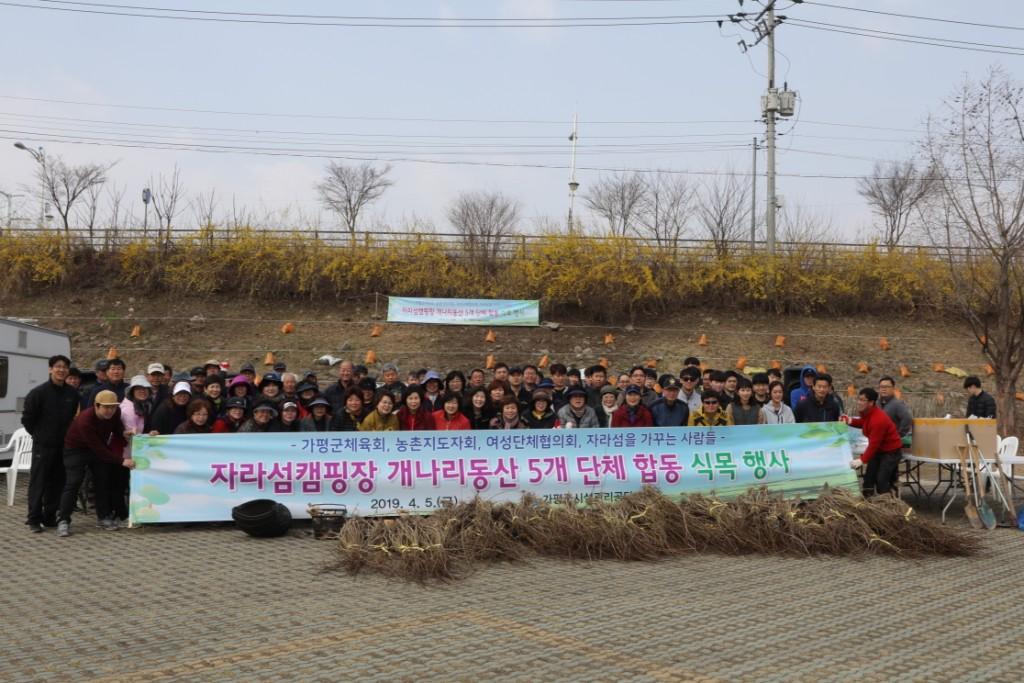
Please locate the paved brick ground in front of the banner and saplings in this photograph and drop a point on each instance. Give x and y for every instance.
(207, 604)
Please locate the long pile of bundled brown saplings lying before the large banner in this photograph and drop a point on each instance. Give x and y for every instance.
(646, 526)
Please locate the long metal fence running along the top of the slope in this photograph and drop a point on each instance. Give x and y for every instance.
(458, 246)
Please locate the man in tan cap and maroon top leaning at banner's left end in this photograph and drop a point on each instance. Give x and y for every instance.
(96, 442)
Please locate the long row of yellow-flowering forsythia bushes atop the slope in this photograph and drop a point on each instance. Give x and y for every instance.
(608, 278)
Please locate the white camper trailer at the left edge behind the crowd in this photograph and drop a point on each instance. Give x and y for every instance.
(24, 353)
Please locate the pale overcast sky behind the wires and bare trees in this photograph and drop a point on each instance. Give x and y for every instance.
(480, 108)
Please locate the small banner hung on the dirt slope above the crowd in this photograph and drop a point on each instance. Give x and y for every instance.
(495, 313)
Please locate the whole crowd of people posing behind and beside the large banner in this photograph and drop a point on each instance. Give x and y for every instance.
(78, 430)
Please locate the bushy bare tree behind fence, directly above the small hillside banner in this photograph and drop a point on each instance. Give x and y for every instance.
(487, 221)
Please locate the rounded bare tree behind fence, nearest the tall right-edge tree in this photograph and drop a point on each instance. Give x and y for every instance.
(894, 191)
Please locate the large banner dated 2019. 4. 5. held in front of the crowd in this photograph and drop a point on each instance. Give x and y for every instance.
(200, 478)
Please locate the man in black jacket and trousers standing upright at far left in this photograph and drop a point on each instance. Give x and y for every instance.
(50, 410)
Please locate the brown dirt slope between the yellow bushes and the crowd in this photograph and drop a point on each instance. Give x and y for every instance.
(184, 333)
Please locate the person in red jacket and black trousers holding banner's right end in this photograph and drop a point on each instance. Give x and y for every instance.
(885, 448)
